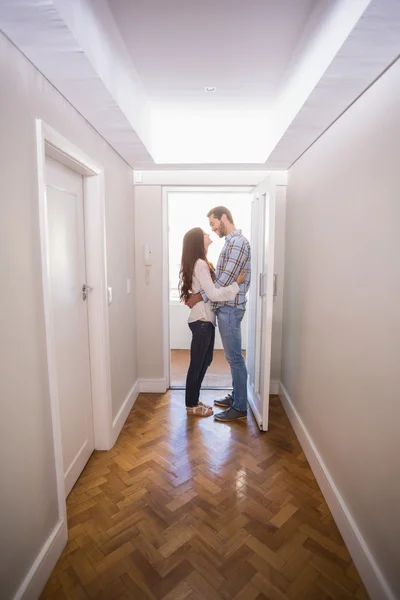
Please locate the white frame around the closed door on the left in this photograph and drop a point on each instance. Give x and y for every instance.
(53, 145)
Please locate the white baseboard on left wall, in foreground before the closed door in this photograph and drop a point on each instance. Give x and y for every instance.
(38, 575)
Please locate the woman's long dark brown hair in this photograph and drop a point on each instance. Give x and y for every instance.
(192, 250)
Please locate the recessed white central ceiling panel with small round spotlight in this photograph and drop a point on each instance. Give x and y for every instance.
(243, 48)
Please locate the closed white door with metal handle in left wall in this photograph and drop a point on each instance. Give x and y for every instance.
(66, 251)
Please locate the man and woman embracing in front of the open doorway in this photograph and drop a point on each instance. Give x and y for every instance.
(216, 294)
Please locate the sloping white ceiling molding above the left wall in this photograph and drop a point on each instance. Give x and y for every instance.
(39, 29)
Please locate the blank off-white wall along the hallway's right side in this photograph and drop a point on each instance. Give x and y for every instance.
(341, 335)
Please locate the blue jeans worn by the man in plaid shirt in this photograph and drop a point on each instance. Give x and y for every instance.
(229, 322)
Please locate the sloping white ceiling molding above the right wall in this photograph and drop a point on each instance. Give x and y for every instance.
(371, 47)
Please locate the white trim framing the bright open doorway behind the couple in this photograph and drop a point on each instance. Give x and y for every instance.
(165, 248)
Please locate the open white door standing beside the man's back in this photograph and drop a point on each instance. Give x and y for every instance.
(261, 300)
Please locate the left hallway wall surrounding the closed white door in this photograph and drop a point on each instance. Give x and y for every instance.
(28, 502)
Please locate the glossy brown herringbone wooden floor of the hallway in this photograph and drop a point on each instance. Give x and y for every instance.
(187, 508)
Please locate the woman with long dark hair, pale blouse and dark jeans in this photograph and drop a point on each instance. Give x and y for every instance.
(198, 274)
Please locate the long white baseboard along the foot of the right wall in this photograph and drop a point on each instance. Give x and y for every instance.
(368, 569)
